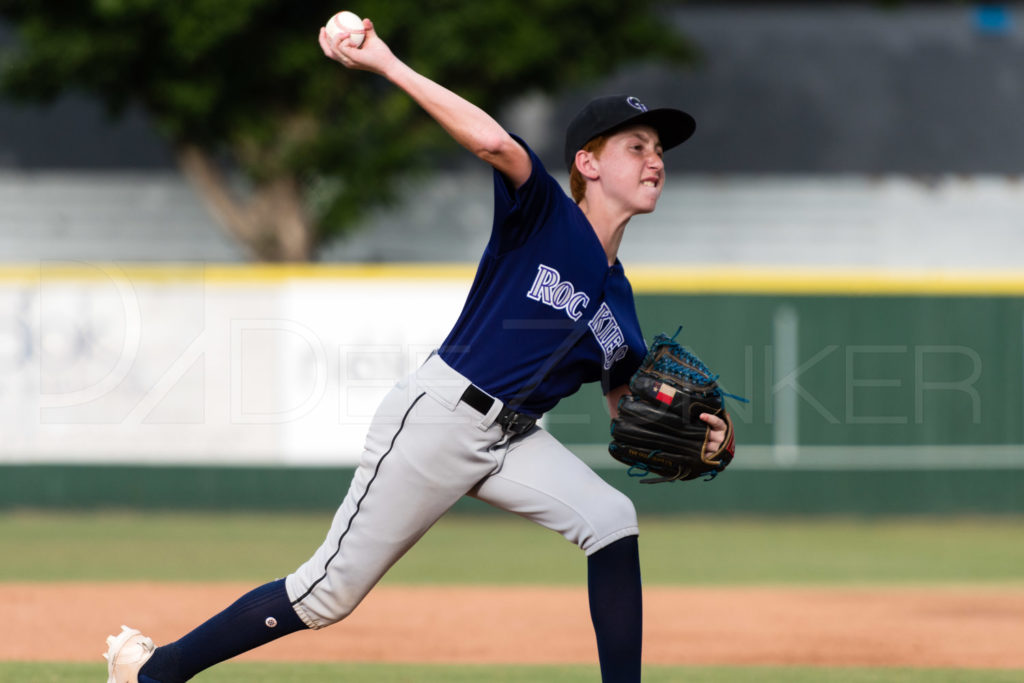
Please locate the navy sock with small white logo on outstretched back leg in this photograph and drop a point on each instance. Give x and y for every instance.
(258, 618)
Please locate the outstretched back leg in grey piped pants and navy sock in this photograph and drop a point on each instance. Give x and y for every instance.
(421, 457)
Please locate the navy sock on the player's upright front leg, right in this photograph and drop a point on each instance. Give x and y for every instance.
(617, 610)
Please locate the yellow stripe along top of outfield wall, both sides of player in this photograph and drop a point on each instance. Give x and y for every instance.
(647, 279)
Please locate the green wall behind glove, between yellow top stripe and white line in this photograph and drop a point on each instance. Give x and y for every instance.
(847, 371)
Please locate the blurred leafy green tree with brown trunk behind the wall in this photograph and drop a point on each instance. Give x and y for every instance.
(243, 87)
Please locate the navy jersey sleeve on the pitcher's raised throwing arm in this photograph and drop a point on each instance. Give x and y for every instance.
(522, 214)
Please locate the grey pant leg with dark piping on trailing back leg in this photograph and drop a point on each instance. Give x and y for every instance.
(411, 475)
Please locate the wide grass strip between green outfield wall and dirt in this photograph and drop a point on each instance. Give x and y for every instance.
(504, 550)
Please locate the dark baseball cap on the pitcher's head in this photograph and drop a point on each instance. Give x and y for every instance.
(607, 114)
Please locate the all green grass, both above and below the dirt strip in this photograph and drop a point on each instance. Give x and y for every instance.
(112, 547)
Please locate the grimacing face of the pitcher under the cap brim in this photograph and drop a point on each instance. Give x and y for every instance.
(632, 169)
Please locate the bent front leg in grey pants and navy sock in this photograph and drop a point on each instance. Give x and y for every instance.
(545, 483)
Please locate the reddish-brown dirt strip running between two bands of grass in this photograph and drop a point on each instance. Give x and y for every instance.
(943, 627)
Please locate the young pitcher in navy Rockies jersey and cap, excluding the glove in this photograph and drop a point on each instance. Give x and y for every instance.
(550, 309)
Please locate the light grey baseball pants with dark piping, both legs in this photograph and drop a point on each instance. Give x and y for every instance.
(424, 451)
